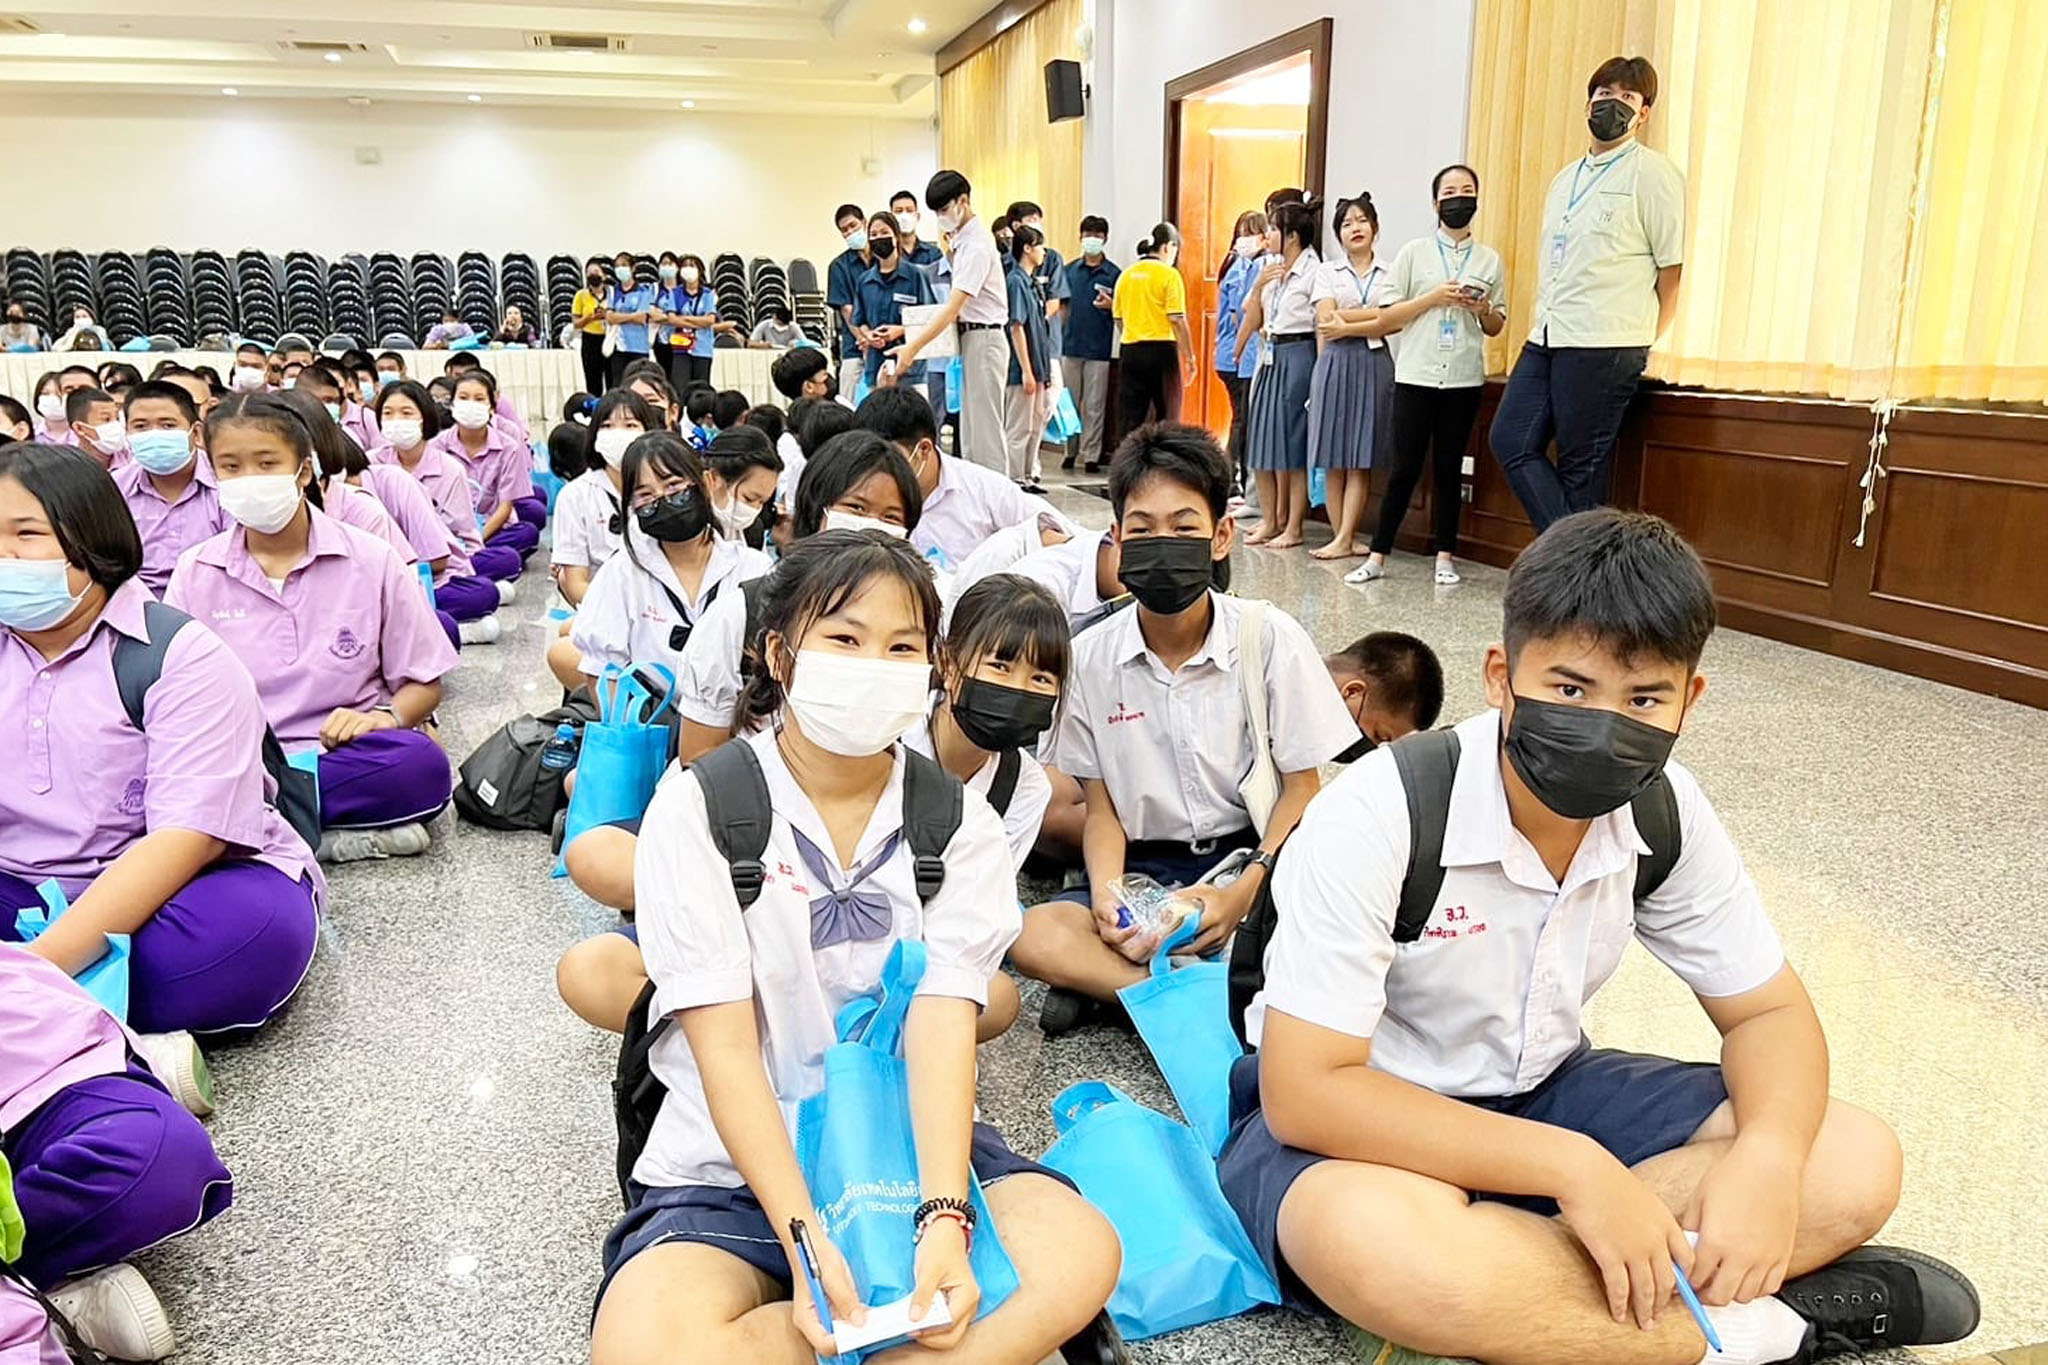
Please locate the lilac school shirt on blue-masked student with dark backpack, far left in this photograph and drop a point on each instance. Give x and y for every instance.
(85, 785)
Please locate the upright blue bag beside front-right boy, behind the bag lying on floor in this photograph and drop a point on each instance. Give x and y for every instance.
(1185, 1018)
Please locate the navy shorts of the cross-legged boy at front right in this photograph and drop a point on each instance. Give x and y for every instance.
(1631, 1104)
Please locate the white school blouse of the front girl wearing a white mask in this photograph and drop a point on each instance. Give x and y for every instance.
(703, 951)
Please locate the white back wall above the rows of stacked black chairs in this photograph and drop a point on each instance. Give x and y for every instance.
(282, 175)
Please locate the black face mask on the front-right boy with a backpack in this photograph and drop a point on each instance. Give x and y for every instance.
(1584, 762)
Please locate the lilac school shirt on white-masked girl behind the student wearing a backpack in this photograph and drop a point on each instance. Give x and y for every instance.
(349, 629)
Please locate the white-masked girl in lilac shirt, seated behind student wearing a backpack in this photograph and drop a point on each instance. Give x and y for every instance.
(341, 642)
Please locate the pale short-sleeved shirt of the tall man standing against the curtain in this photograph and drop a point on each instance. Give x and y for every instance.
(1609, 226)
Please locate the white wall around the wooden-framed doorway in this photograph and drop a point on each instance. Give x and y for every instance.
(1398, 95)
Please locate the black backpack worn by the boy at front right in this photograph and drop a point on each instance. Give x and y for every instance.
(1428, 764)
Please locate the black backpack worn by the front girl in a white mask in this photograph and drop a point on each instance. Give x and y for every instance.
(736, 803)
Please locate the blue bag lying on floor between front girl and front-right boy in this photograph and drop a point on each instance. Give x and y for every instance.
(1187, 1258)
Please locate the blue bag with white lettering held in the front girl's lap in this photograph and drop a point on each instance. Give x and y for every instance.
(861, 1159)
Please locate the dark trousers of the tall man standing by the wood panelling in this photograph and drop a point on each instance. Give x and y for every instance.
(1580, 396)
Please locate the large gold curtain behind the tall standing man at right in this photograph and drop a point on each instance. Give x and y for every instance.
(1865, 181)
